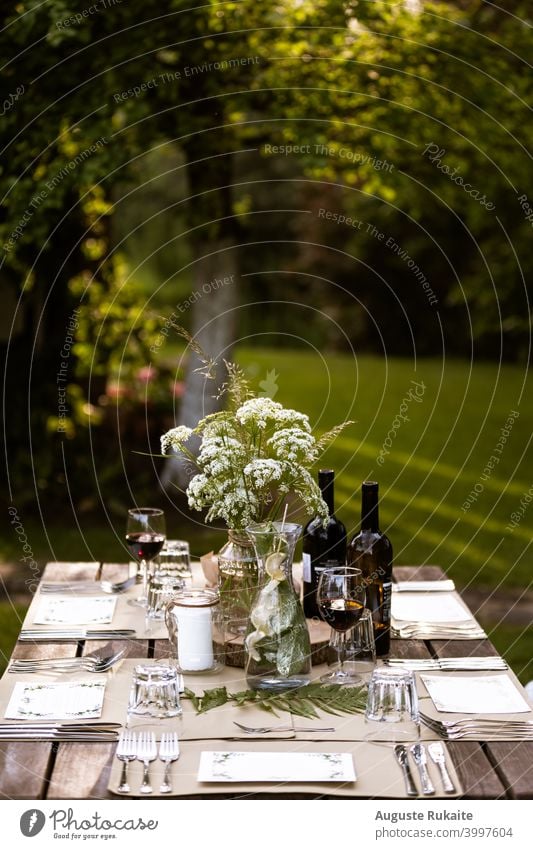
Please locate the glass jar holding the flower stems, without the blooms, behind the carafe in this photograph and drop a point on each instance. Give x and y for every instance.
(238, 580)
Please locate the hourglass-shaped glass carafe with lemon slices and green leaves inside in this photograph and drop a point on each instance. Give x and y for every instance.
(277, 644)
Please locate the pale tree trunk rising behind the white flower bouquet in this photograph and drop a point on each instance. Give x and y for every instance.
(213, 299)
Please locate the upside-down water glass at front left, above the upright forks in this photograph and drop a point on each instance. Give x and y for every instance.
(154, 691)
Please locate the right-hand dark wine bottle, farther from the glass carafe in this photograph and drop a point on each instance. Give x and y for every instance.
(371, 551)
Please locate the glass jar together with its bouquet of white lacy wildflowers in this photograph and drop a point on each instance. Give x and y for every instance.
(253, 456)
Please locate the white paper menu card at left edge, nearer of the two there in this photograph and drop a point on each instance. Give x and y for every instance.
(69, 700)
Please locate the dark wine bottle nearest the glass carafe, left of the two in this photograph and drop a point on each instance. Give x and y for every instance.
(321, 544)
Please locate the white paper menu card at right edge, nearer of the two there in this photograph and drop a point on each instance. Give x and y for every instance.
(479, 694)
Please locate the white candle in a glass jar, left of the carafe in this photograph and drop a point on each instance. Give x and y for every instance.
(195, 628)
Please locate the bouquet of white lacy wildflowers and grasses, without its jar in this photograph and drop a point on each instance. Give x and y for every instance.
(251, 457)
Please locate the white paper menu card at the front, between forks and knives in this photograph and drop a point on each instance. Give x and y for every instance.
(276, 766)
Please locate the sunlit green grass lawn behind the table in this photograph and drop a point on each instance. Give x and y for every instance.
(436, 460)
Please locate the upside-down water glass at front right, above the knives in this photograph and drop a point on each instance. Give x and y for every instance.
(392, 707)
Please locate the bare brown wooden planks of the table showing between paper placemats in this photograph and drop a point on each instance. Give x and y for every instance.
(496, 770)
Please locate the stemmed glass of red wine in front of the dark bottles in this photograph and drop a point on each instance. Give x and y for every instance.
(341, 602)
